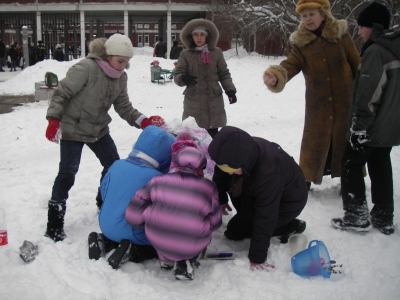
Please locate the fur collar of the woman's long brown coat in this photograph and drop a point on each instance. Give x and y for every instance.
(333, 31)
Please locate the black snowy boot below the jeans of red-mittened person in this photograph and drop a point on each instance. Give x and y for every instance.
(55, 223)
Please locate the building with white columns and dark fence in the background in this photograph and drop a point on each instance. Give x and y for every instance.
(73, 24)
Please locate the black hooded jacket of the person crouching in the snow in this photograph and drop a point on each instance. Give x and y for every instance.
(273, 185)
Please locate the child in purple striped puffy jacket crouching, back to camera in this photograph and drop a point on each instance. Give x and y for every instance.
(178, 210)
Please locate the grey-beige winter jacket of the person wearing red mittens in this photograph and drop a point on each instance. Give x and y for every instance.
(82, 99)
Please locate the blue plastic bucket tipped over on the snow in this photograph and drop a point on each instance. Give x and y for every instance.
(312, 261)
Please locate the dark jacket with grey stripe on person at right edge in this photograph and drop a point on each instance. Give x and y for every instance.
(375, 104)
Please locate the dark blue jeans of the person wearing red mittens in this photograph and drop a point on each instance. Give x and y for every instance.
(70, 157)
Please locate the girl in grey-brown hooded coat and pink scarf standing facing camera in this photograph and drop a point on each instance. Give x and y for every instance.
(201, 68)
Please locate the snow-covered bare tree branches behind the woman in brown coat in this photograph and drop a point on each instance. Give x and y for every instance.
(275, 20)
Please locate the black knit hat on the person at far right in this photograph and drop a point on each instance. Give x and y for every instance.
(374, 13)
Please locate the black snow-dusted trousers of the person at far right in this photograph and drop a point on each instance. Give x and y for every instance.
(380, 173)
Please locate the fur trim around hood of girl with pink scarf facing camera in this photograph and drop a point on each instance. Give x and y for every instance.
(212, 37)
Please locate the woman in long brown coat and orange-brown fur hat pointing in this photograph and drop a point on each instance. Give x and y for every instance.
(323, 50)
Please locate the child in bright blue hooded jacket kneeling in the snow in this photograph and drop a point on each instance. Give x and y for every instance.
(150, 156)
